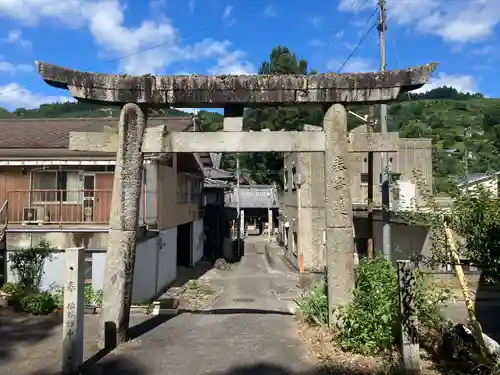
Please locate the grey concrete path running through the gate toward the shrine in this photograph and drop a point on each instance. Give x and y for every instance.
(248, 331)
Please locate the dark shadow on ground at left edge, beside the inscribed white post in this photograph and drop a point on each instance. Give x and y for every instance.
(19, 329)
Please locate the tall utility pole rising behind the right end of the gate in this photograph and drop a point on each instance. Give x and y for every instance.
(386, 214)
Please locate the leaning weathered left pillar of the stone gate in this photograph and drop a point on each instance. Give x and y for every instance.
(123, 226)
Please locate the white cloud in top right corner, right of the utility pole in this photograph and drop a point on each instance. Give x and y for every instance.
(454, 21)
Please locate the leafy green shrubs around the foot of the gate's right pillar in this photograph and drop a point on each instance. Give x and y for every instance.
(369, 324)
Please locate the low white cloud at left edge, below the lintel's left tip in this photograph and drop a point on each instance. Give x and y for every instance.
(14, 96)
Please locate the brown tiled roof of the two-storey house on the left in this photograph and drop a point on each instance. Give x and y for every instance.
(54, 133)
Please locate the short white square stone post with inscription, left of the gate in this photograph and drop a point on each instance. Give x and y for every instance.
(74, 289)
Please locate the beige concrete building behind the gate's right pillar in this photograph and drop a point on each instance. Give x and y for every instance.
(304, 204)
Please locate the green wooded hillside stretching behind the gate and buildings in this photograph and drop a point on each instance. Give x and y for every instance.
(442, 114)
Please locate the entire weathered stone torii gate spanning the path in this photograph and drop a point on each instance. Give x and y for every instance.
(233, 93)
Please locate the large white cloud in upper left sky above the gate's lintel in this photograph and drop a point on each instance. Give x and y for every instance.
(157, 39)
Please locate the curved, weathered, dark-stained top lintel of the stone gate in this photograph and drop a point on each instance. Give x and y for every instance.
(218, 91)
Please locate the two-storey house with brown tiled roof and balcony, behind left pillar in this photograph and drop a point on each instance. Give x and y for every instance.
(51, 193)
